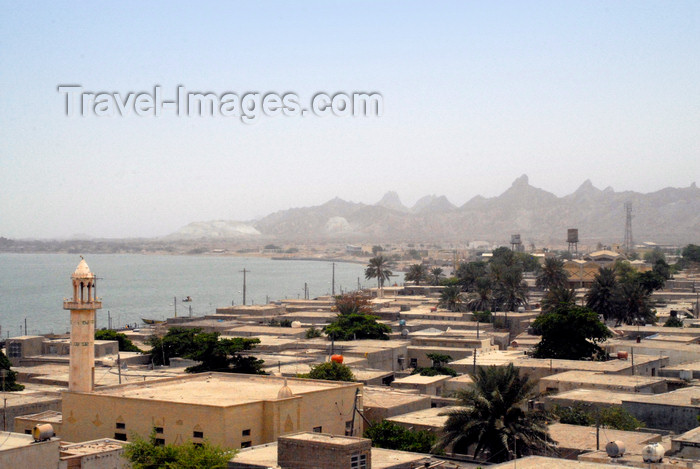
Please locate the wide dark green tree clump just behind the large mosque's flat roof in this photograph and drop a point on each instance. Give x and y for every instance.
(214, 353)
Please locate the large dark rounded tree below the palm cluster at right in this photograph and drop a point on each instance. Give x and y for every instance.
(570, 332)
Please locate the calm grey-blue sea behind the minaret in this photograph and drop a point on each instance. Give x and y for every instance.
(133, 286)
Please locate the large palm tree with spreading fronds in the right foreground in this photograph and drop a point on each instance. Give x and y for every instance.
(493, 421)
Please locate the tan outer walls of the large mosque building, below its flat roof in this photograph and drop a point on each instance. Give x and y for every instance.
(94, 416)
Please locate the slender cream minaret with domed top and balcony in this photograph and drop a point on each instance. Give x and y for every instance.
(83, 307)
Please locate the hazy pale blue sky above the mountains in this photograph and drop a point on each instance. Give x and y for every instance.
(475, 94)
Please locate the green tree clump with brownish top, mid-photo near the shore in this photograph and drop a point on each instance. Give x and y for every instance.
(355, 321)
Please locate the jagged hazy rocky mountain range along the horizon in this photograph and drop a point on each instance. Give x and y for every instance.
(670, 215)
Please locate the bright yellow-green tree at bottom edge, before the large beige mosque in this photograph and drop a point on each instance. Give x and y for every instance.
(148, 454)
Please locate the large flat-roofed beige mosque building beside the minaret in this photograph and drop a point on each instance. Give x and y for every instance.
(228, 409)
